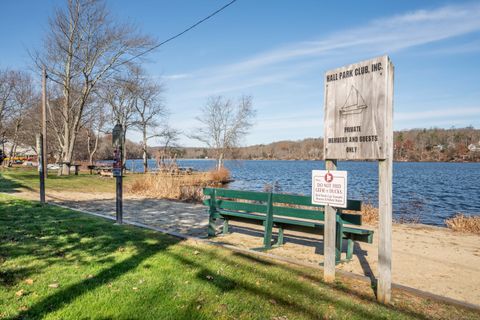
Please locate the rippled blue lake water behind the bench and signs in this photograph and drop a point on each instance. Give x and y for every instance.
(428, 191)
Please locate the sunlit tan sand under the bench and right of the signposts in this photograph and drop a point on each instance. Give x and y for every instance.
(427, 258)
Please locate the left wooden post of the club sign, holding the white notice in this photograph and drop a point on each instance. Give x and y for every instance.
(329, 239)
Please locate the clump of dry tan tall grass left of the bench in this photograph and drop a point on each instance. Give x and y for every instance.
(186, 187)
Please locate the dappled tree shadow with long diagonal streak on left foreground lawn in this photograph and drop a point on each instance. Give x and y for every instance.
(52, 235)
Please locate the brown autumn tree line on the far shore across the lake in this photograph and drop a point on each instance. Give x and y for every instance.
(435, 144)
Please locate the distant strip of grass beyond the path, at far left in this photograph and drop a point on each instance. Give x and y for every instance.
(16, 179)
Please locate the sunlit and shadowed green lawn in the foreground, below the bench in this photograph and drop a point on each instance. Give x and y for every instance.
(60, 264)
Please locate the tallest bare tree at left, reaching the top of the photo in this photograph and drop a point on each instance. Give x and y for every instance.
(83, 47)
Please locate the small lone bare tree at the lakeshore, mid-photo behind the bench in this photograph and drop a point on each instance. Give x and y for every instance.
(224, 124)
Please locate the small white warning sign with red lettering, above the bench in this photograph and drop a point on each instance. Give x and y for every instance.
(329, 188)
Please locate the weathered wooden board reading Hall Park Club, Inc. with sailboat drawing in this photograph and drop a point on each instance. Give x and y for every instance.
(358, 110)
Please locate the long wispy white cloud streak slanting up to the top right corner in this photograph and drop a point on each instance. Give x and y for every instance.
(389, 34)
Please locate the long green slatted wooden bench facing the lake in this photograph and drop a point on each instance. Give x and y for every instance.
(284, 212)
